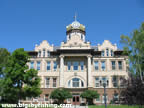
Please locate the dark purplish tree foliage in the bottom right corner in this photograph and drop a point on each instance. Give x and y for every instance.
(133, 94)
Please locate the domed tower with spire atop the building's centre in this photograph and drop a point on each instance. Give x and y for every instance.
(75, 29)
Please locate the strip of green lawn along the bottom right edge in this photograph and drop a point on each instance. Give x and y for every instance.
(113, 106)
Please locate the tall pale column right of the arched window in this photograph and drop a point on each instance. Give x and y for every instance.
(89, 71)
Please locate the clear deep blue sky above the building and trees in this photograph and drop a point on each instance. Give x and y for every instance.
(24, 23)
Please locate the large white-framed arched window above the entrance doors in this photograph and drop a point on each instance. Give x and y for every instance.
(76, 82)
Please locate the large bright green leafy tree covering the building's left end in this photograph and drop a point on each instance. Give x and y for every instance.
(19, 81)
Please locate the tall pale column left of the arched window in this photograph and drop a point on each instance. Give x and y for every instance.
(61, 71)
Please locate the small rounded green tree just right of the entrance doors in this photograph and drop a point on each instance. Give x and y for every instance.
(89, 95)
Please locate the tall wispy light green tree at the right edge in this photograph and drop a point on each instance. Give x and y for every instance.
(134, 47)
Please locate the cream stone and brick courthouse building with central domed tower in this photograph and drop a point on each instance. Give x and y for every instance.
(78, 66)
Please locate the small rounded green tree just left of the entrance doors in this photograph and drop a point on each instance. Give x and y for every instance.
(60, 95)
